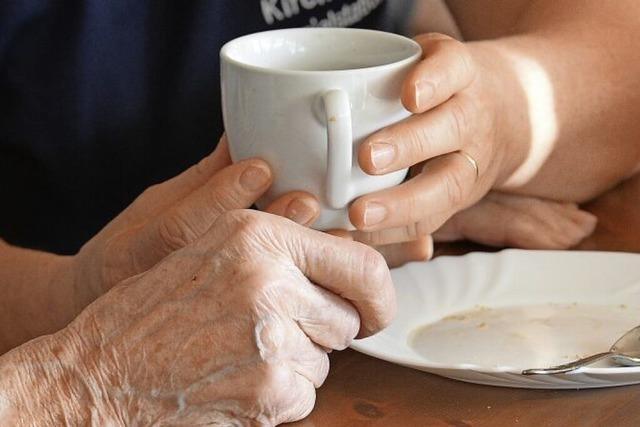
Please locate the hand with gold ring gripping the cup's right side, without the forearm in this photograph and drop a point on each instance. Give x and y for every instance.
(452, 142)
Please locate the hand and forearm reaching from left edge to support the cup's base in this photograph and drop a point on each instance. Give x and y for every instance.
(164, 218)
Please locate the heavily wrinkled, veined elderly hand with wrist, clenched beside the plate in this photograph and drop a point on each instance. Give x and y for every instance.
(234, 327)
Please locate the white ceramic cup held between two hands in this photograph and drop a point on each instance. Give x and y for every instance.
(303, 99)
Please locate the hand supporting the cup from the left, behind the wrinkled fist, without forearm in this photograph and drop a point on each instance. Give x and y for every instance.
(170, 215)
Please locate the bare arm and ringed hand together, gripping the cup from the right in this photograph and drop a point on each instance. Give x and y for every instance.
(541, 100)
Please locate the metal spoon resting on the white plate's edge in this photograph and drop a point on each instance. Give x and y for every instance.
(625, 351)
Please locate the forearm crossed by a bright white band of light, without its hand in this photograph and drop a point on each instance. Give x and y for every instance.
(570, 76)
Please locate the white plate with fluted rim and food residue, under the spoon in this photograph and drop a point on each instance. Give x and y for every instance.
(529, 309)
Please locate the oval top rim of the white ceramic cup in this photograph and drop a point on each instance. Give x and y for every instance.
(226, 57)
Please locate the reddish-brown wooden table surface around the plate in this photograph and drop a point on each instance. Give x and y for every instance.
(363, 391)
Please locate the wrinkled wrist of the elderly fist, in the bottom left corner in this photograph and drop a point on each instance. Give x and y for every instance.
(48, 382)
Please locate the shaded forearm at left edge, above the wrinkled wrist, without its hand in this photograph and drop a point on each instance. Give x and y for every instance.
(38, 294)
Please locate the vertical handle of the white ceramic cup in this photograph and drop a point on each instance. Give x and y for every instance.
(339, 148)
